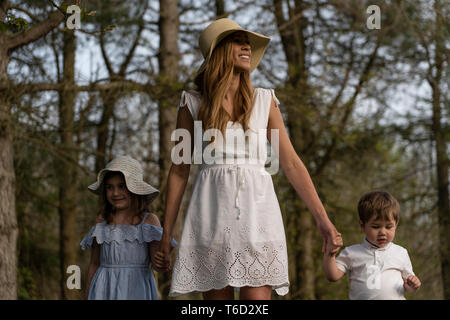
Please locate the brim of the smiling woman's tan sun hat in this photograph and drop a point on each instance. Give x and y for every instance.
(258, 44)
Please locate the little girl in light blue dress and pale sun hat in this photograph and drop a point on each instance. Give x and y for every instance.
(125, 237)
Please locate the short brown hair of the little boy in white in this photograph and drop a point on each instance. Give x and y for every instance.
(379, 203)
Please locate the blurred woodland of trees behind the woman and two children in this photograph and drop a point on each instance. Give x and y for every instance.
(365, 110)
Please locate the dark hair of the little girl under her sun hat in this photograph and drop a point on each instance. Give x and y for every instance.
(139, 203)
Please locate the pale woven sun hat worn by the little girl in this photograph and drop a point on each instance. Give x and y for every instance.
(133, 173)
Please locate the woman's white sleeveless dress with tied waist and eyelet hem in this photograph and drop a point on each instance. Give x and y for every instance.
(233, 233)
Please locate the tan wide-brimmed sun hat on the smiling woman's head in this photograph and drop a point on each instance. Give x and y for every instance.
(221, 28)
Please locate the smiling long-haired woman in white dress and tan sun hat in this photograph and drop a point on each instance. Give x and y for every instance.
(233, 234)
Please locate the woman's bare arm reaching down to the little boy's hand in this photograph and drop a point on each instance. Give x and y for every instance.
(298, 176)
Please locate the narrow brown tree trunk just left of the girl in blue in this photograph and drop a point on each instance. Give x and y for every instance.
(67, 170)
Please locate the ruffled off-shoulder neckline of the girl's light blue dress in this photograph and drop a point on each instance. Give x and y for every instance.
(103, 232)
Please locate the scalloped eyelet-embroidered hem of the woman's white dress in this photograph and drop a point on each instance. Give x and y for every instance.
(202, 269)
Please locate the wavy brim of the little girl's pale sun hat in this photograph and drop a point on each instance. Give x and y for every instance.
(137, 187)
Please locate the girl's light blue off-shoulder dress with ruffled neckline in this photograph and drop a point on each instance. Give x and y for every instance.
(124, 272)
